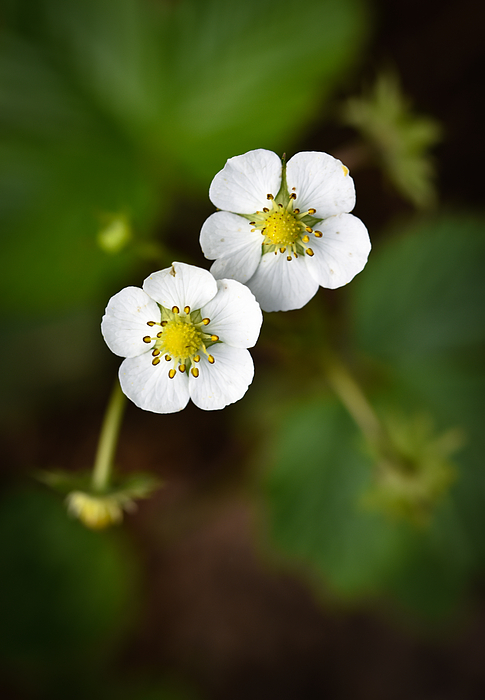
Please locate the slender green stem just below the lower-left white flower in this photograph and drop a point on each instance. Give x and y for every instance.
(103, 463)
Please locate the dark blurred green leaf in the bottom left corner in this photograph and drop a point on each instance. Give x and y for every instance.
(66, 593)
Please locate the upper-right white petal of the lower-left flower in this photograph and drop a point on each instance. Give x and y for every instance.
(235, 315)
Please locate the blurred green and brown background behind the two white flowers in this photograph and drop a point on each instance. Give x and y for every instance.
(282, 557)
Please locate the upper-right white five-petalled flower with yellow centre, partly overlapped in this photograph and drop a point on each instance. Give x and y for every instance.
(284, 230)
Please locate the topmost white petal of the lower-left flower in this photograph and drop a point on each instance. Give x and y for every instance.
(181, 285)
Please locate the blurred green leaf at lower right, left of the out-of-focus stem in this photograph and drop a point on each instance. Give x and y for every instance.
(313, 484)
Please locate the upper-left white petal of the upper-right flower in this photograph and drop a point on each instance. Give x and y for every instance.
(245, 181)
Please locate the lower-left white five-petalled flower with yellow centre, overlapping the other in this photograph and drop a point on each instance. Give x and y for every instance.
(184, 336)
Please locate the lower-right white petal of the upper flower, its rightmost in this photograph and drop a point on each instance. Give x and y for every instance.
(341, 253)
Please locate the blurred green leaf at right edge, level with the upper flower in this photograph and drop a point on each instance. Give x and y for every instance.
(422, 293)
